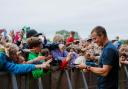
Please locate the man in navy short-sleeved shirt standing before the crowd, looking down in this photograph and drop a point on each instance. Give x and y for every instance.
(107, 70)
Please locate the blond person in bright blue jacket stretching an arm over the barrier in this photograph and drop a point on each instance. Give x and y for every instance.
(8, 58)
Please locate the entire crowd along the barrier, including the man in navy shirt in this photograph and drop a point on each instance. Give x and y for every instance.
(22, 52)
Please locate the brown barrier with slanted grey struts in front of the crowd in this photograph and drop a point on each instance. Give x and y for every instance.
(64, 79)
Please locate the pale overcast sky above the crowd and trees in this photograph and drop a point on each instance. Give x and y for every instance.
(82, 16)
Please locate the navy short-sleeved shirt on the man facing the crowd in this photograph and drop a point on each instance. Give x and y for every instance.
(110, 56)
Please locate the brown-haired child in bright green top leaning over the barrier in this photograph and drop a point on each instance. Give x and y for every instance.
(35, 45)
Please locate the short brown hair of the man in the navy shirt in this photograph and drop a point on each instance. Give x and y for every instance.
(99, 31)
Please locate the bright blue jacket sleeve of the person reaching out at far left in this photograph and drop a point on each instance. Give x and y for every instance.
(7, 65)
